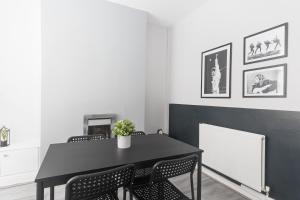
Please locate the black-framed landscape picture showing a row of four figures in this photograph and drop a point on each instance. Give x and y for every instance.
(266, 45)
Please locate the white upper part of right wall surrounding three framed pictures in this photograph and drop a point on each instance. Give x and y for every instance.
(219, 22)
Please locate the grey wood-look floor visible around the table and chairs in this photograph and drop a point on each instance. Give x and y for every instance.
(211, 190)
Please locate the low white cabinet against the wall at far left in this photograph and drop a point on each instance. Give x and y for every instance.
(18, 164)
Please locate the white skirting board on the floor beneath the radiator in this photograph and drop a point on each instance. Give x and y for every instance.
(245, 191)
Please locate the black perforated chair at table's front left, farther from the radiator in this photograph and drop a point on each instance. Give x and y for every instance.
(101, 185)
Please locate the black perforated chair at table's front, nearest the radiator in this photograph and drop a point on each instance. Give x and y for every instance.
(159, 187)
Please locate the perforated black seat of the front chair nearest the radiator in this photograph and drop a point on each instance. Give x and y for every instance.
(160, 191)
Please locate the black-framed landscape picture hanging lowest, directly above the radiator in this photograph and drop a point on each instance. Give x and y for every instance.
(265, 82)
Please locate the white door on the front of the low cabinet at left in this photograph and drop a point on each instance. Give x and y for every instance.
(19, 161)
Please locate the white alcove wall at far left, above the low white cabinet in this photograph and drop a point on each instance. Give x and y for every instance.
(20, 68)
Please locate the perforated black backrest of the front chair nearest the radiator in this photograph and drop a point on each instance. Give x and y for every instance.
(171, 168)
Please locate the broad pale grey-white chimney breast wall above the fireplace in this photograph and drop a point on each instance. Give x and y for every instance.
(94, 62)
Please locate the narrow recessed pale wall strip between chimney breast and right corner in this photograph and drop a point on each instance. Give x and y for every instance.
(156, 115)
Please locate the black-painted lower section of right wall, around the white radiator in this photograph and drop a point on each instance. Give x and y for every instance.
(281, 128)
